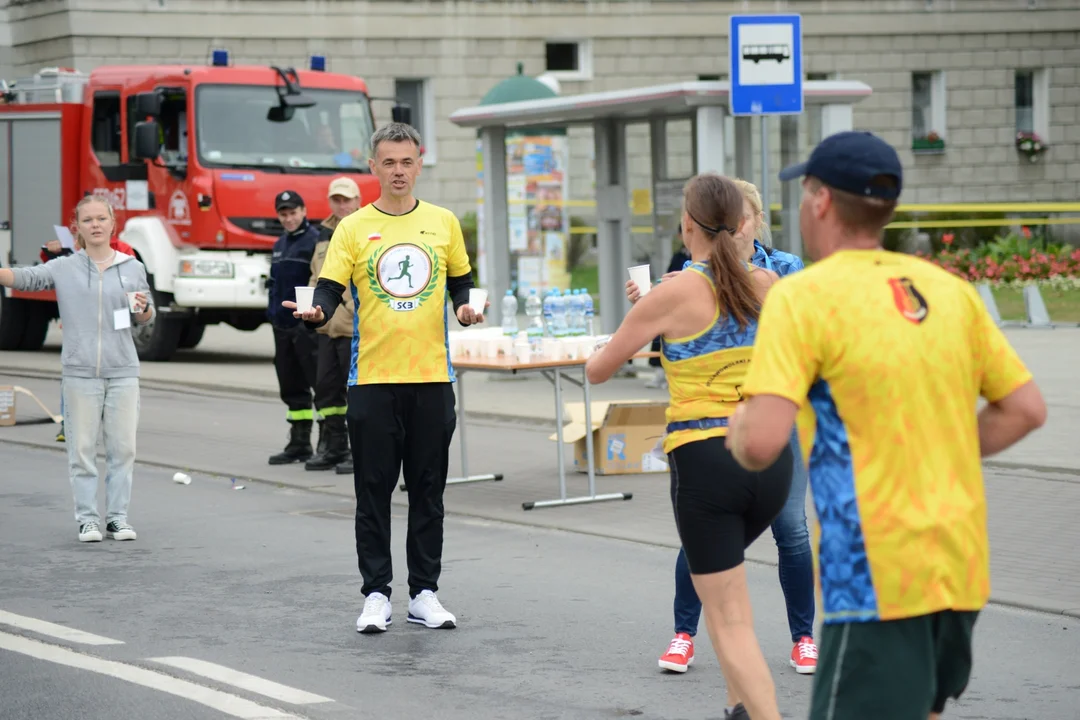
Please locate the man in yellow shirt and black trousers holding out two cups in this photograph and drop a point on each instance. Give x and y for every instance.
(400, 259)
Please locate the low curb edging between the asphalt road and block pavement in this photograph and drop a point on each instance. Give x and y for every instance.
(1006, 602)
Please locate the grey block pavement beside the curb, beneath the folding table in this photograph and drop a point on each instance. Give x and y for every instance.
(218, 437)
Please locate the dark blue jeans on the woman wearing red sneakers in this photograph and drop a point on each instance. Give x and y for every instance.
(796, 563)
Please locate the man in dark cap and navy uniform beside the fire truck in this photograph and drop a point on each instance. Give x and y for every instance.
(295, 346)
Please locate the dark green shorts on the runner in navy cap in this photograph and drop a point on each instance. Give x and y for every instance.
(899, 670)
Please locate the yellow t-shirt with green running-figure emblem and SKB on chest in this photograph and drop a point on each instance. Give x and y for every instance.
(398, 267)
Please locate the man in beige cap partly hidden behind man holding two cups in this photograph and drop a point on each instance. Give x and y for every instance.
(335, 345)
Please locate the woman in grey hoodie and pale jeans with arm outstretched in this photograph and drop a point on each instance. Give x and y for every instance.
(100, 291)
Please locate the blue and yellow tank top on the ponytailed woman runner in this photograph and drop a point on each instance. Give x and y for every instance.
(706, 372)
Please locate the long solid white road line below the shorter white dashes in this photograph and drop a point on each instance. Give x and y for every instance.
(232, 705)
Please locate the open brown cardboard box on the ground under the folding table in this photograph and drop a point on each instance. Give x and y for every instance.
(625, 437)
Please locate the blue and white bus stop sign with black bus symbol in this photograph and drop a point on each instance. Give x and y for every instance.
(766, 65)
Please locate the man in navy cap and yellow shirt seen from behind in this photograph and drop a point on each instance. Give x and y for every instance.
(883, 359)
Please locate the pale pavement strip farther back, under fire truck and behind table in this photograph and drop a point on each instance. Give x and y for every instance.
(232, 361)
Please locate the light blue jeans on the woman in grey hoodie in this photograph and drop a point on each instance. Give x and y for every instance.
(91, 404)
